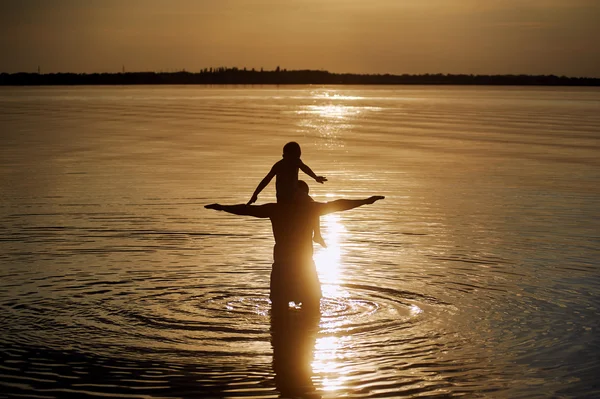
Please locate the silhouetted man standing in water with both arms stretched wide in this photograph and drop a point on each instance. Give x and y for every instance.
(294, 276)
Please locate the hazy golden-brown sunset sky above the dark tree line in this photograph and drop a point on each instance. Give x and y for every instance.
(557, 37)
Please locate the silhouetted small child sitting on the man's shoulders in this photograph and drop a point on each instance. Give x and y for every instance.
(285, 172)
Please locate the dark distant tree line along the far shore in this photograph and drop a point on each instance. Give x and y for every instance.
(279, 76)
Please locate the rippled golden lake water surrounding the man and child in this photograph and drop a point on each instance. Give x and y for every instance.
(477, 276)
